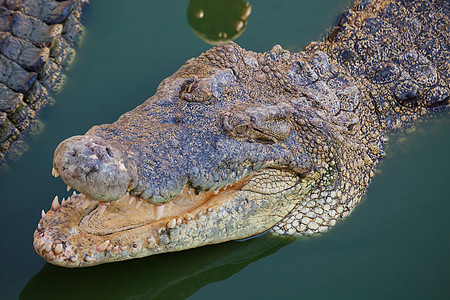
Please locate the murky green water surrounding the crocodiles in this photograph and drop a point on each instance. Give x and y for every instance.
(395, 245)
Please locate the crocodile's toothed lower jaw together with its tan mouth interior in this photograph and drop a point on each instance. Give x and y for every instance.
(81, 232)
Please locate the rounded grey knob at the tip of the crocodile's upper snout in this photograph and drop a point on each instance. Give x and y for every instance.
(94, 167)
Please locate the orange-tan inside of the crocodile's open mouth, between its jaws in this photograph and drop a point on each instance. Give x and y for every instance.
(131, 212)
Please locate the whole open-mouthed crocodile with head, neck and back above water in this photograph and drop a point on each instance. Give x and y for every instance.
(236, 143)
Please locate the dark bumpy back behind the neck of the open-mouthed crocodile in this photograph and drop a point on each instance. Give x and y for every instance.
(399, 53)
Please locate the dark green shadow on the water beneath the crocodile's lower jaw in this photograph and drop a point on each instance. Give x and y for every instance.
(167, 276)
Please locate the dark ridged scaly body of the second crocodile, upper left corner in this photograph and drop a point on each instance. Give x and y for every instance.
(37, 40)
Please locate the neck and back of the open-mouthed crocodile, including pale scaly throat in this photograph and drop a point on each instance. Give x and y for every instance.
(385, 64)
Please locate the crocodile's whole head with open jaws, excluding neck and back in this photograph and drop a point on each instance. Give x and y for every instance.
(224, 150)
